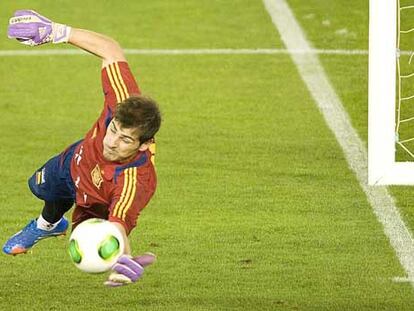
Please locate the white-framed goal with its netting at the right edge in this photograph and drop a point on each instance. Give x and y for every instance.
(391, 93)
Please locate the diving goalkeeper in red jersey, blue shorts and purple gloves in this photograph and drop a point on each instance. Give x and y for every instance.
(108, 174)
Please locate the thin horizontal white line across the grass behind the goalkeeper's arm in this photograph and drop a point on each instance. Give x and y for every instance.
(45, 52)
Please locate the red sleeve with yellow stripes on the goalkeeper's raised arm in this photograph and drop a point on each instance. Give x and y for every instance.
(118, 83)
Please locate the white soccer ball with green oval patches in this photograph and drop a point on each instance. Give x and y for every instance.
(95, 245)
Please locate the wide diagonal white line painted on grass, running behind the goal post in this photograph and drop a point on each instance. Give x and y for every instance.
(338, 121)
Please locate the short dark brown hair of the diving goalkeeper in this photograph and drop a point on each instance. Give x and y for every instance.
(142, 113)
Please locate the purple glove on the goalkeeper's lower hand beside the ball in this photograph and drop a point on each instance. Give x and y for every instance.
(129, 269)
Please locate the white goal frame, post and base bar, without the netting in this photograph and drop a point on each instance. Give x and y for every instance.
(382, 166)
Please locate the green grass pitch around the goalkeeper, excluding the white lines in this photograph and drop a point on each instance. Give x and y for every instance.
(256, 207)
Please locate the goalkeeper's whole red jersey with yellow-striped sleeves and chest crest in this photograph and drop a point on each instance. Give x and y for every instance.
(111, 190)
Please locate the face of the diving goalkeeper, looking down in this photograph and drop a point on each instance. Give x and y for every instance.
(121, 144)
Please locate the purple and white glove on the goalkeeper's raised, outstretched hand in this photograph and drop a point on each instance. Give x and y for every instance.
(31, 28)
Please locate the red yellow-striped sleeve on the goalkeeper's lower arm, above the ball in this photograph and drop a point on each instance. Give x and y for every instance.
(135, 187)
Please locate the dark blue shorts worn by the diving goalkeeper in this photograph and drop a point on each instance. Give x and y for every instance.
(52, 182)
